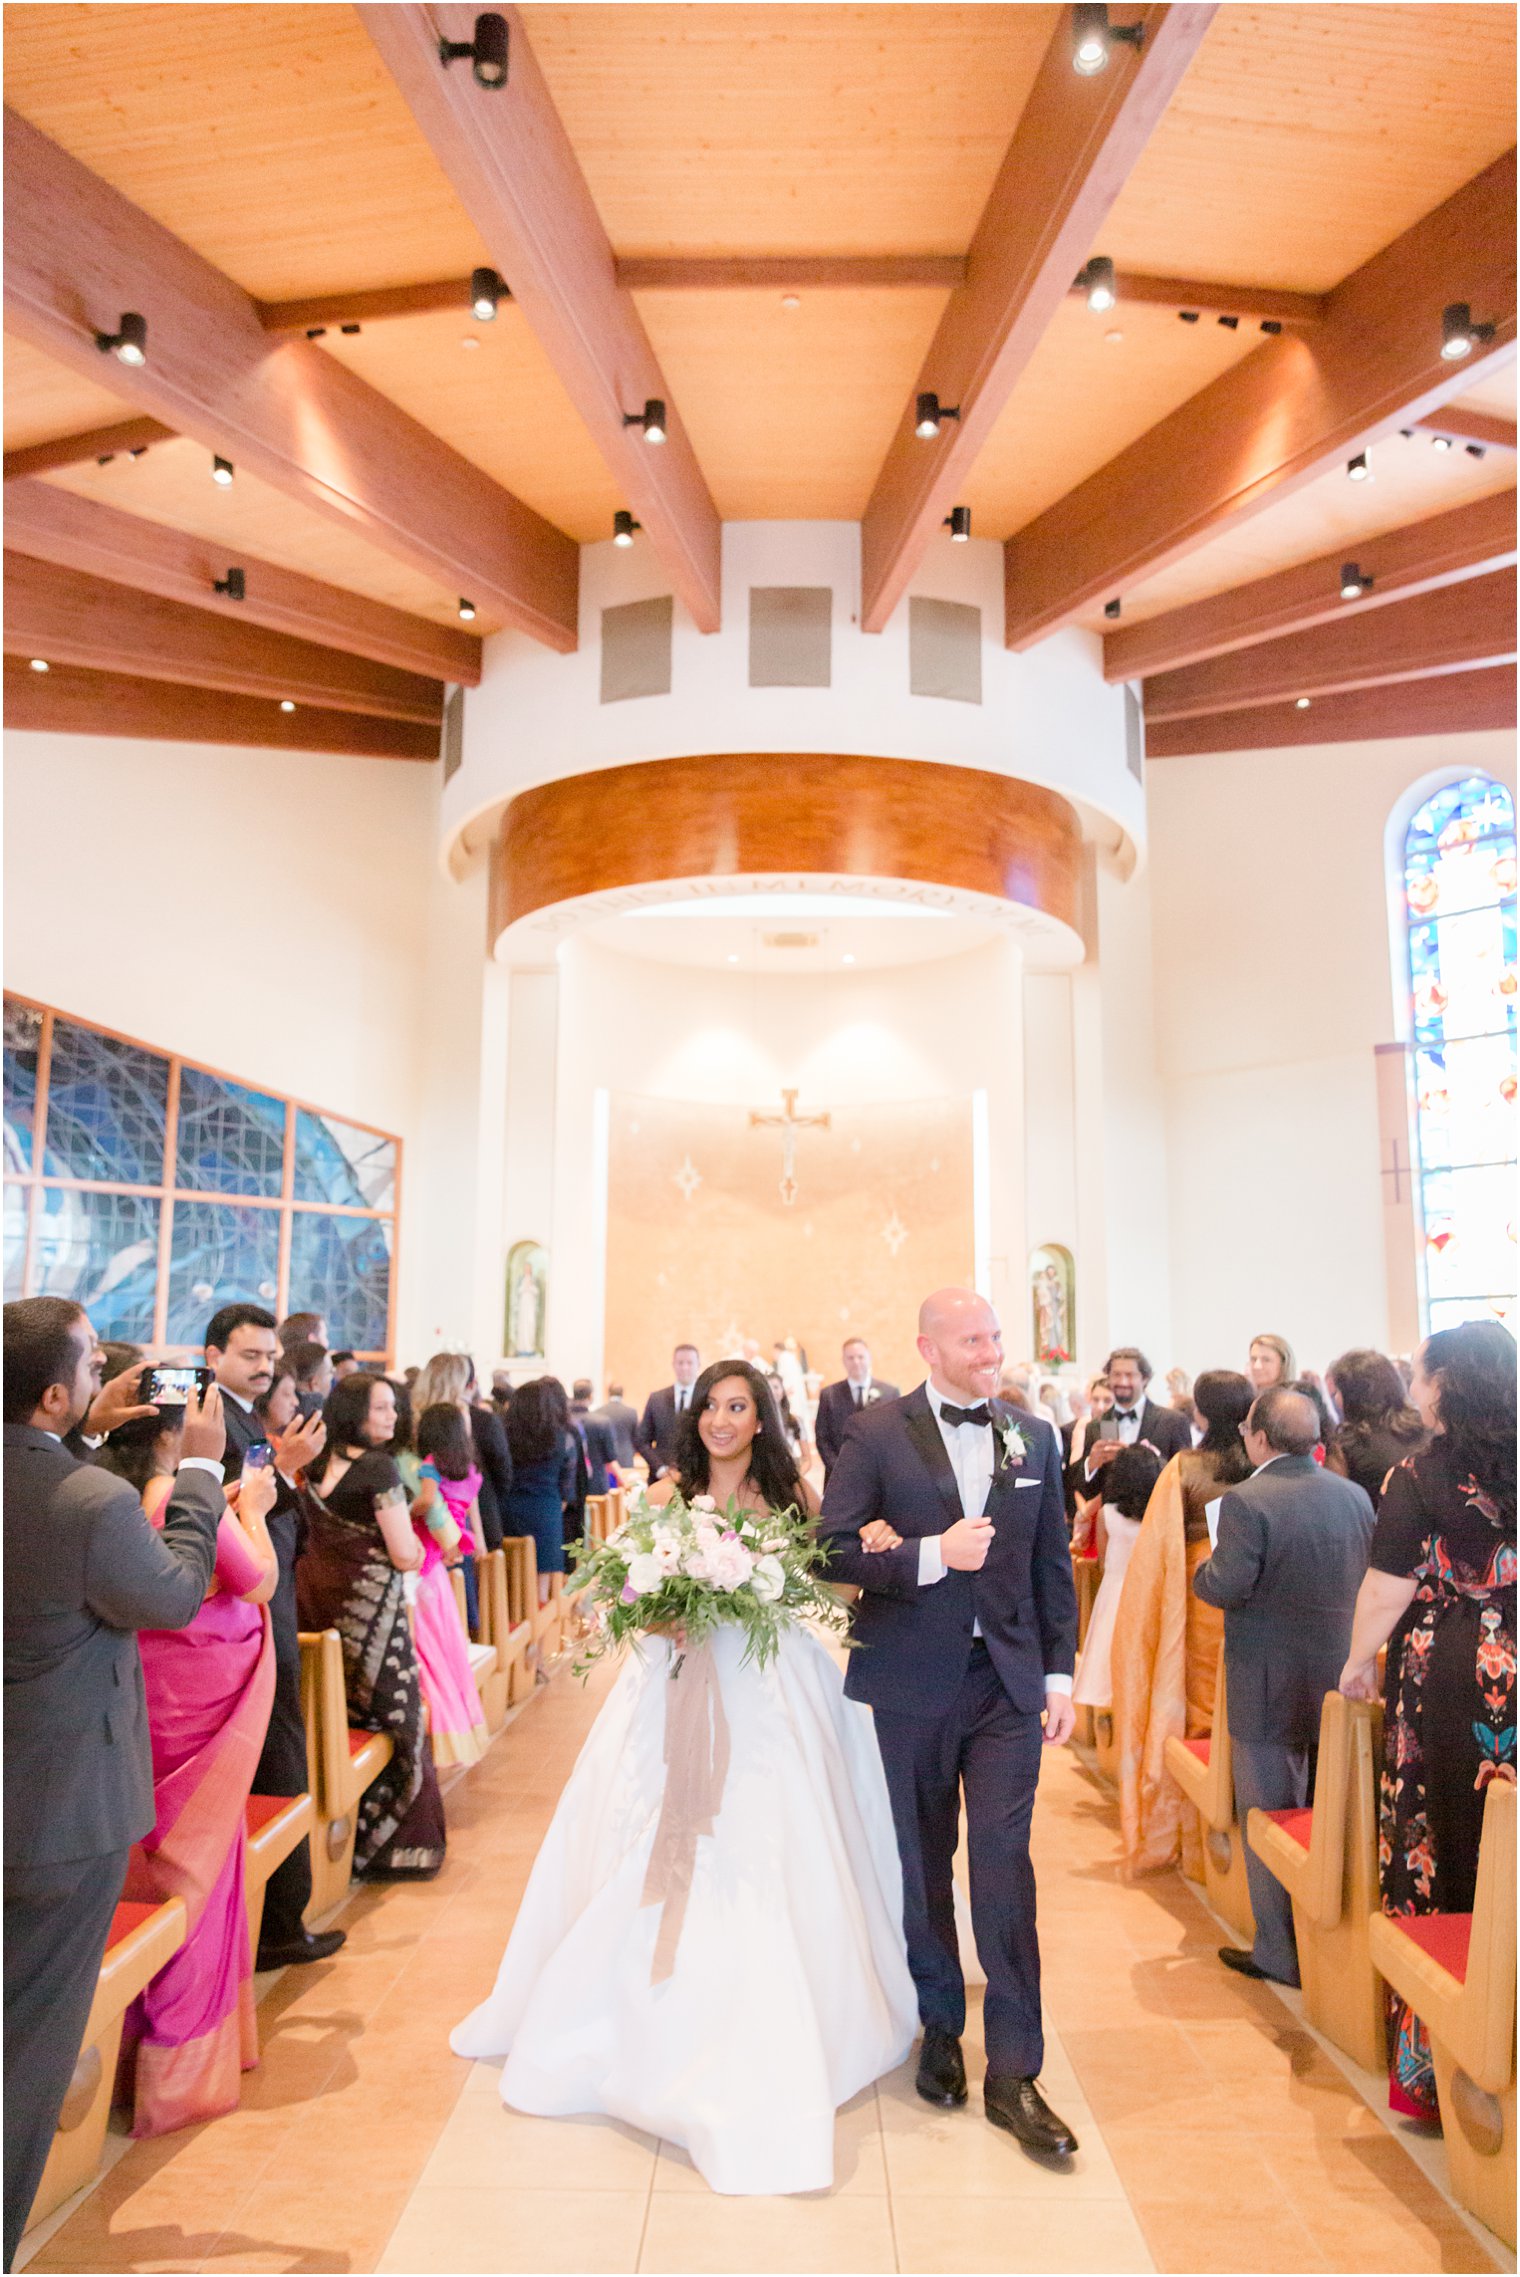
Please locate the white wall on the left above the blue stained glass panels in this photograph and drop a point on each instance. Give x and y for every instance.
(276, 916)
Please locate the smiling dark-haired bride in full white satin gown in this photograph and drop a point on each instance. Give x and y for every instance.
(788, 1989)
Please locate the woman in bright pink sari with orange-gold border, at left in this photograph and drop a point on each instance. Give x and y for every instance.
(192, 2034)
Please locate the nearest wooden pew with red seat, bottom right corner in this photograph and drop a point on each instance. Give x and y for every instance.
(1457, 1971)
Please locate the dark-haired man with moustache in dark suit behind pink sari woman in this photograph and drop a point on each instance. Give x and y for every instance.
(242, 1351)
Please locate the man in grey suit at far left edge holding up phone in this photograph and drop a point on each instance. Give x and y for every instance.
(83, 1575)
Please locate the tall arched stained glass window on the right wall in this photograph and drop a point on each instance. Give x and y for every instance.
(1460, 889)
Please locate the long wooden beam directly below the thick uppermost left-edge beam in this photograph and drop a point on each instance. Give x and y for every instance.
(79, 534)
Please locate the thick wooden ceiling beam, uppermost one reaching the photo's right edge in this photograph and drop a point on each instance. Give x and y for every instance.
(1280, 418)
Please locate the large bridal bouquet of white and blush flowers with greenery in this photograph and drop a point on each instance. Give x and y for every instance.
(686, 1570)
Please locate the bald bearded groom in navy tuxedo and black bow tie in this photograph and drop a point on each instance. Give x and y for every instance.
(948, 1511)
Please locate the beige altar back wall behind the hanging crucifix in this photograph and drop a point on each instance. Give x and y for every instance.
(702, 1247)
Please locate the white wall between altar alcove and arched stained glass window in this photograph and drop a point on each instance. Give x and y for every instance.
(1273, 987)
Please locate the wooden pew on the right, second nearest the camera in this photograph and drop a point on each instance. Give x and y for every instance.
(1328, 1864)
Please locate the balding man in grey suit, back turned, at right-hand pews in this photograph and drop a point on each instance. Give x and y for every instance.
(1287, 1568)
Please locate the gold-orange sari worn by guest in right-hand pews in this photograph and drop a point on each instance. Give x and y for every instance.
(1166, 1654)
